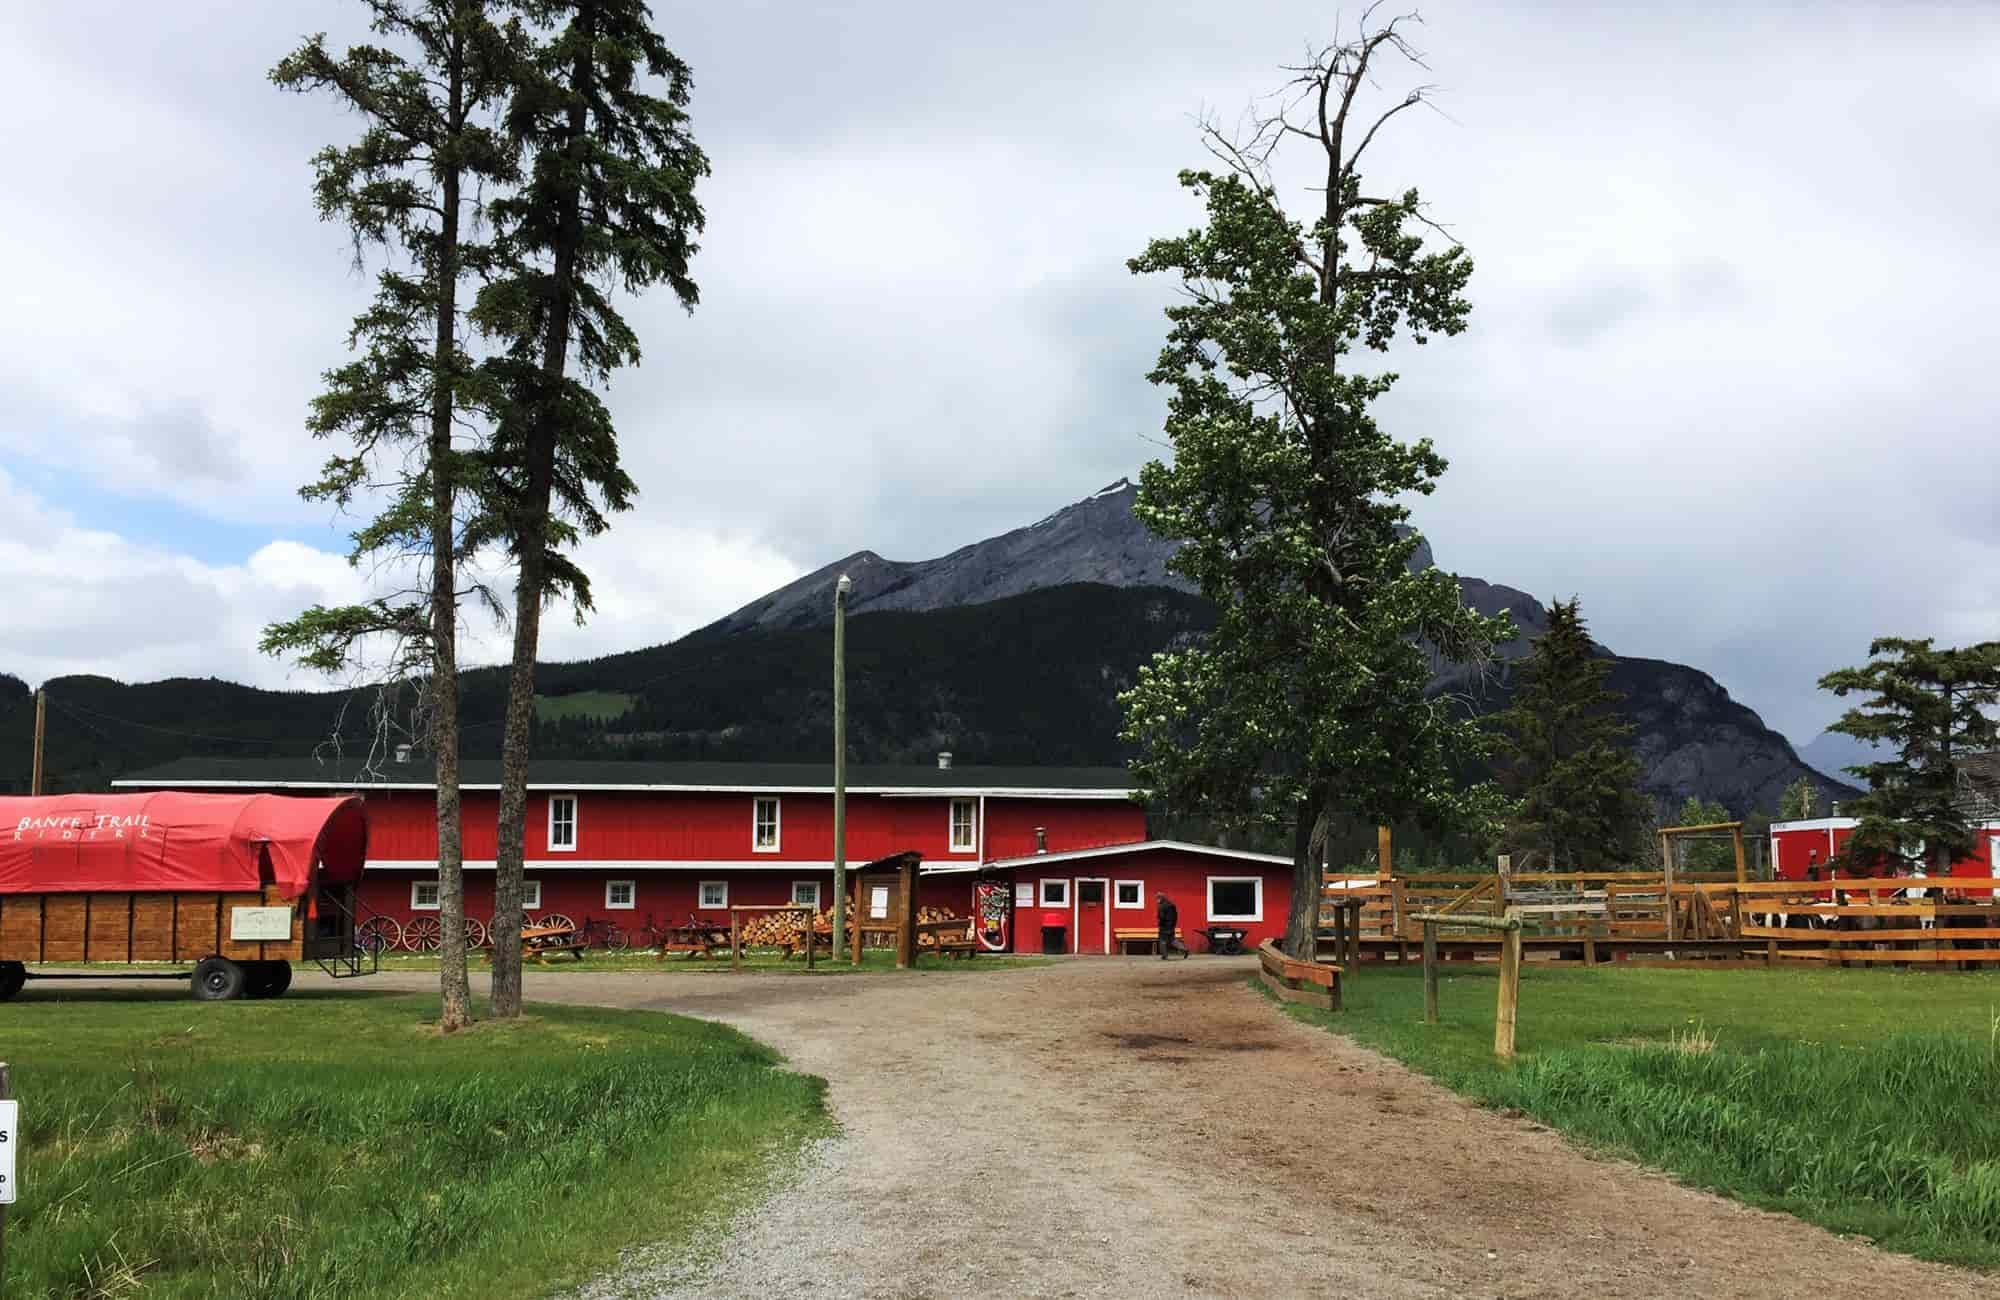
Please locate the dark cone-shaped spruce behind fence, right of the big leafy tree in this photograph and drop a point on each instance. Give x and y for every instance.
(1567, 755)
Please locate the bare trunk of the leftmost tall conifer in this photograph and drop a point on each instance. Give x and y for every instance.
(453, 985)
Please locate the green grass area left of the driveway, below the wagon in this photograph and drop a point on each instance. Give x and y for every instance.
(333, 1143)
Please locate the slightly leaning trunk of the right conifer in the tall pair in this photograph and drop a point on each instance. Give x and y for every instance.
(531, 551)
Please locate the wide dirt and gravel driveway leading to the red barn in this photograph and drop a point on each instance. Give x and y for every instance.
(1133, 1129)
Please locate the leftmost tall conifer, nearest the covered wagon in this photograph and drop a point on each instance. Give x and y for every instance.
(409, 187)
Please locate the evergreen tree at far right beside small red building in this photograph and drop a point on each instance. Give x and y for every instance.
(1931, 709)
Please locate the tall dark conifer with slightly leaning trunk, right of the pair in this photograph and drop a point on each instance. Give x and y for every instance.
(607, 207)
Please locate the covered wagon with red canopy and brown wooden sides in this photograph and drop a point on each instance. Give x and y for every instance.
(235, 885)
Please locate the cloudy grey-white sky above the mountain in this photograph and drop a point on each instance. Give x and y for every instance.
(1733, 371)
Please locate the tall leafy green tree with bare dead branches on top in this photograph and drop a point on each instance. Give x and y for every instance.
(1311, 701)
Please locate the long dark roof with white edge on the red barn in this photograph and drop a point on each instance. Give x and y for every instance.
(567, 775)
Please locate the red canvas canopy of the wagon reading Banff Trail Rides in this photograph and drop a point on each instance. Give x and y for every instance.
(209, 843)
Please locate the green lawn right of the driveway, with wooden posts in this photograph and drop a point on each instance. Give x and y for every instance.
(1863, 1101)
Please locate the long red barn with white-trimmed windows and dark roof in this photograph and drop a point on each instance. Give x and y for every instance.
(663, 841)
